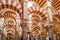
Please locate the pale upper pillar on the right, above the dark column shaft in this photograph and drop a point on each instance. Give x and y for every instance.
(49, 12)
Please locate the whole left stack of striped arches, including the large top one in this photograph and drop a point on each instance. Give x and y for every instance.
(11, 12)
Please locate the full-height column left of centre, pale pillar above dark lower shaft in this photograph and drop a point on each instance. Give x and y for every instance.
(25, 12)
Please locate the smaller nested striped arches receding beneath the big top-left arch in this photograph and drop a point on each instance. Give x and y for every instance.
(12, 20)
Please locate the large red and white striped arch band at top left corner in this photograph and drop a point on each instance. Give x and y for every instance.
(11, 4)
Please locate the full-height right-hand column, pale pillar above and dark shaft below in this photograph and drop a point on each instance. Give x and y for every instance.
(49, 20)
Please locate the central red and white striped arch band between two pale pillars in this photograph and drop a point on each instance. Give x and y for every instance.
(39, 11)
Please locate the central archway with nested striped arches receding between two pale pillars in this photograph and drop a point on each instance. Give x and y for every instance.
(36, 16)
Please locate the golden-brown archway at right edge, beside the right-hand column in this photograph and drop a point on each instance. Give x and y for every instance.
(56, 23)
